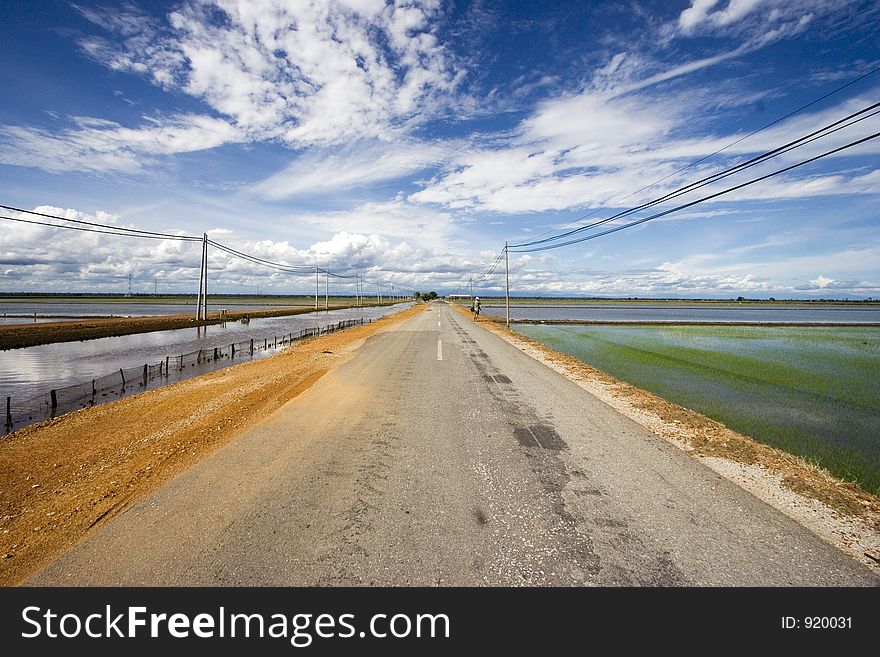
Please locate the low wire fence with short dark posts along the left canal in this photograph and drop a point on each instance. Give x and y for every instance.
(124, 382)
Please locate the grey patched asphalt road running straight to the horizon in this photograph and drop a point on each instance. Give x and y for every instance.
(441, 455)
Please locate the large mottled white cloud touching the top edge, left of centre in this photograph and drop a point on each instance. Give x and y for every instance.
(319, 72)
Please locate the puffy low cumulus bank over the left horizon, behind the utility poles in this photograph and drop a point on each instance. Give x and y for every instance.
(36, 257)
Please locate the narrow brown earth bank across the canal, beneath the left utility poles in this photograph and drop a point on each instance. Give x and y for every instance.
(16, 336)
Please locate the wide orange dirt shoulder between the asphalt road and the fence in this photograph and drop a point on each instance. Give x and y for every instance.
(63, 477)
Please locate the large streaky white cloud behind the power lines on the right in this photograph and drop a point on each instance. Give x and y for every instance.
(604, 148)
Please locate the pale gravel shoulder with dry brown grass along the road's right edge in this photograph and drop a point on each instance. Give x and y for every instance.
(837, 511)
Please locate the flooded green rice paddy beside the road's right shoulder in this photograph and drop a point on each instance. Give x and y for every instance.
(811, 391)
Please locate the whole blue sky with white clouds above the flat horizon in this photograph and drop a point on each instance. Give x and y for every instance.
(407, 141)
